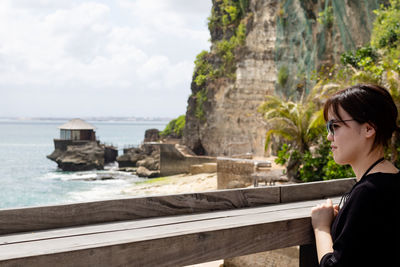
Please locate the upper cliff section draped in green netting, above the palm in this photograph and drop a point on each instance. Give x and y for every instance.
(311, 35)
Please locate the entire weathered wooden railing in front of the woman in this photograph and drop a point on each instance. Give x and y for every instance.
(171, 230)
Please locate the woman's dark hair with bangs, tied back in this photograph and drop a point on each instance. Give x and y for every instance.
(367, 103)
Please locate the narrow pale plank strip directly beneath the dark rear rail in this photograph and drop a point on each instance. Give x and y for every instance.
(130, 225)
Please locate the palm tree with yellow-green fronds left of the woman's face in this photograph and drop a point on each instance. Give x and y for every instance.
(299, 122)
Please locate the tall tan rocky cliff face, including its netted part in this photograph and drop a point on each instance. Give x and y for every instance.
(285, 42)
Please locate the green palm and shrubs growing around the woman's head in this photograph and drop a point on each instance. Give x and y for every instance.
(307, 156)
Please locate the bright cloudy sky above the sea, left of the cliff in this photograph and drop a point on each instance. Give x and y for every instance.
(121, 58)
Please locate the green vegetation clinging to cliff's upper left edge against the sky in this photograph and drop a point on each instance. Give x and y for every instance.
(227, 24)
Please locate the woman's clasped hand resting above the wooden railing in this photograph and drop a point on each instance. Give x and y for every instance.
(322, 215)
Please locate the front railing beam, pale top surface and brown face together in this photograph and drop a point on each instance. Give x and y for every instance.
(169, 245)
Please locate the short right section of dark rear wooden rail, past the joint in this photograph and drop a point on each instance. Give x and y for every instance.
(315, 190)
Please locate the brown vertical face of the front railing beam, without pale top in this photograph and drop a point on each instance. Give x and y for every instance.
(179, 250)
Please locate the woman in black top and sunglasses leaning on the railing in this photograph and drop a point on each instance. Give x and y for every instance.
(364, 231)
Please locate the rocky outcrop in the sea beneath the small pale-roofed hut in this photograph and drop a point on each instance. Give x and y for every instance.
(79, 157)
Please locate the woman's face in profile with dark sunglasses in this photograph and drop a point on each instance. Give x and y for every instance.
(346, 142)
